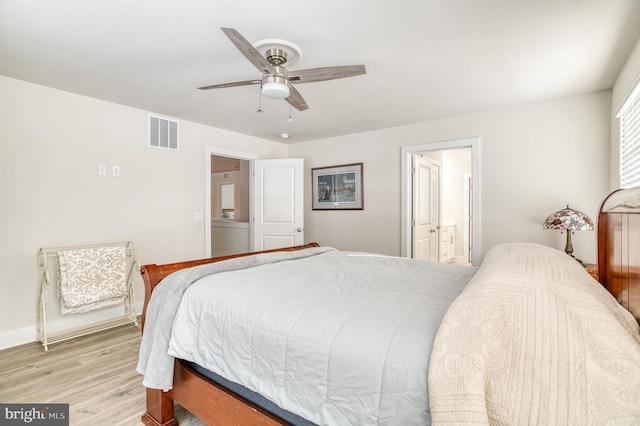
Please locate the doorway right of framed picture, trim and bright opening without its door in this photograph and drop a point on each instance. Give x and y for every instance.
(457, 230)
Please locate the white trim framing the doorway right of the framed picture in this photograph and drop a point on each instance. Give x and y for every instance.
(405, 196)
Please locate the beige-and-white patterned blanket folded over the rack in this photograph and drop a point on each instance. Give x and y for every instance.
(91, 278)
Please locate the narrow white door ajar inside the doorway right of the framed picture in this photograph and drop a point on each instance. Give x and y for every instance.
(426, 195)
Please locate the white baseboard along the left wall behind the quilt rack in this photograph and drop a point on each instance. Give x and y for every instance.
(21, 336)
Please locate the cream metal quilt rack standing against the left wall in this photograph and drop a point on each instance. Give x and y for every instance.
(129, 316)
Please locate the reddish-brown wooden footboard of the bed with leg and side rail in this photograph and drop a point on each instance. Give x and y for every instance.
(212, 403)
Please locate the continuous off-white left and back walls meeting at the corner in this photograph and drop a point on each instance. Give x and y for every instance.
(534, 159)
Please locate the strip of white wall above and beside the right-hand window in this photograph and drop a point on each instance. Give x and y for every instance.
(626, 81)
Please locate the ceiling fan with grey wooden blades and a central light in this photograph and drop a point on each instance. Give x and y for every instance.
(277, 81)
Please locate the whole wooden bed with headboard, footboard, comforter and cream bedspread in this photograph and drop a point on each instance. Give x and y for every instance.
(529, 337)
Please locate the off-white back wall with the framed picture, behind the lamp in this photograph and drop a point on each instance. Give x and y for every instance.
(535, 159)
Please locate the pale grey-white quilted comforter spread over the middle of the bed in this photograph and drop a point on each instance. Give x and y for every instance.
(337, 337)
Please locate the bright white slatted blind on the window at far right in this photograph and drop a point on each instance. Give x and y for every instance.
(630, 140)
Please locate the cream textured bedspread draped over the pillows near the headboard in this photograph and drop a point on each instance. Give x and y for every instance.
(534, 340)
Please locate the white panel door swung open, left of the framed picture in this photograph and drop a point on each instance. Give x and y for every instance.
(278, 203)
